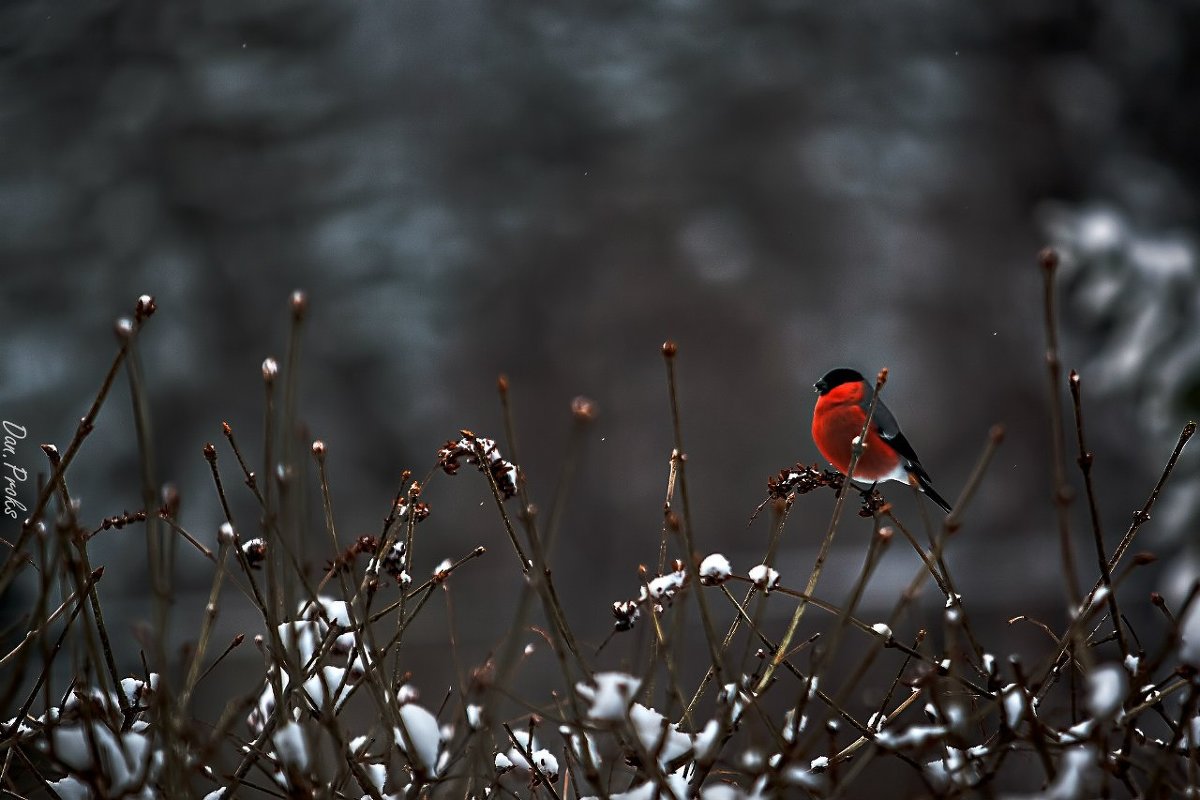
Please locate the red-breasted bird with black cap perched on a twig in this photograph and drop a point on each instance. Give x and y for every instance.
(844, 398)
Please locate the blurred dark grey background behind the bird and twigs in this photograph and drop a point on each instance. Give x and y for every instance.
(551, 191)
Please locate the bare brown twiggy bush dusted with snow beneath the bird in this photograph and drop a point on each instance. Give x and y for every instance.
(800, 708)
